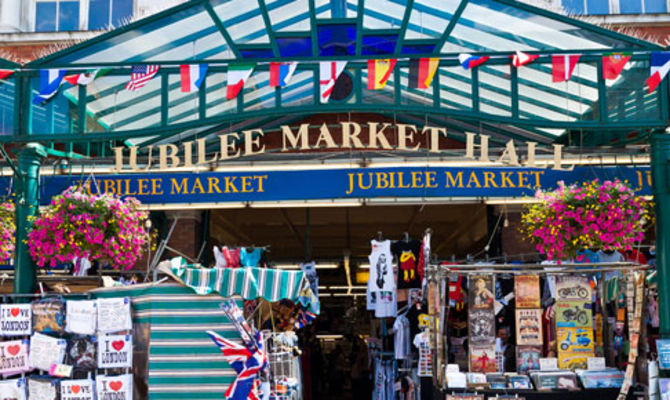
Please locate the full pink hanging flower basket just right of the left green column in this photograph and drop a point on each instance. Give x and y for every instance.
(98, 227)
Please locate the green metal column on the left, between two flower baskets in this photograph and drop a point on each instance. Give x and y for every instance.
(27, 204)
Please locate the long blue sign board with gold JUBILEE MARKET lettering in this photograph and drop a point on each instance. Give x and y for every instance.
(345, 183)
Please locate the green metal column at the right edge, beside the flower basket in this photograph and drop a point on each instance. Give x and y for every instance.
(660, 169)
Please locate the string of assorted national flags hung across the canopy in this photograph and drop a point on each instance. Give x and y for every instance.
(421, 73)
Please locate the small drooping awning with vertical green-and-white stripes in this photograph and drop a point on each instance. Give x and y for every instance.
(249, 283)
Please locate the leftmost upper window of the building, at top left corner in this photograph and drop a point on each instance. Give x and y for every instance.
(56, 15)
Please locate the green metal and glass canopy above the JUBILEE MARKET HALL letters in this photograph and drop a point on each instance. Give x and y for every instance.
(495, 98)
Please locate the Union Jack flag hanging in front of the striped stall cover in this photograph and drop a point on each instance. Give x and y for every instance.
(246, 363)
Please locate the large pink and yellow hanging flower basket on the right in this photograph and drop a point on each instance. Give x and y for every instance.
(606, 216)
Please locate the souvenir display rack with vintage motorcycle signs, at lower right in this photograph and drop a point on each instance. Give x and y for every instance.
(587, 311)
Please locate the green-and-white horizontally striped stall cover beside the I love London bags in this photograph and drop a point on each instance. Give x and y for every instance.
(182, 361)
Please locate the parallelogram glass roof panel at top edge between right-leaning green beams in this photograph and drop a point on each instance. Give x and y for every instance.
(429, 18)
